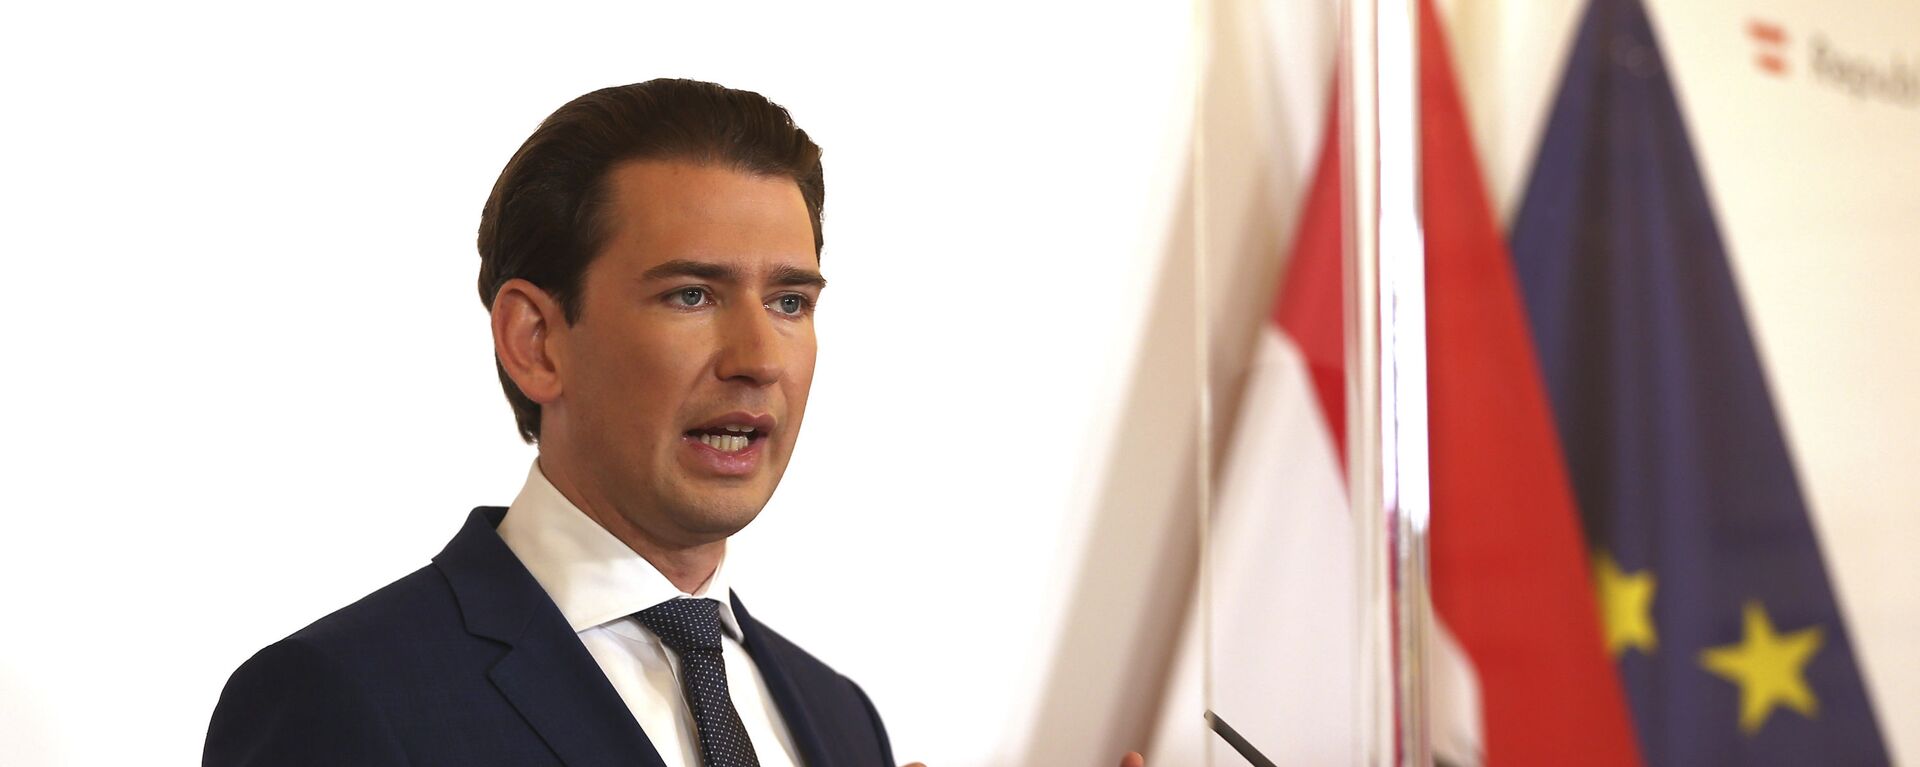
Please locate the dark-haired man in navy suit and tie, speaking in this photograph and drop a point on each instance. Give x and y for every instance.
(650, 259)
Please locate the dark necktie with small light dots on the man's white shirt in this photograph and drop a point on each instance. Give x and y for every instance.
(692, 630)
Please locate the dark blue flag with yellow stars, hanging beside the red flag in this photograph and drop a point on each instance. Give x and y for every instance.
(1714, 595)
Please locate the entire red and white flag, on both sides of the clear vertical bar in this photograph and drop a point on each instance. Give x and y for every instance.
(1518, 670)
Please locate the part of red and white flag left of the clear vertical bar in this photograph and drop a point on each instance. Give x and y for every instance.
(1285, 601)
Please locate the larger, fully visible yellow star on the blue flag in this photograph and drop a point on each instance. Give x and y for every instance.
(1769, 670)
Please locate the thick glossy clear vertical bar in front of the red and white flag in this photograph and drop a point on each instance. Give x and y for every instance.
(1387, 351)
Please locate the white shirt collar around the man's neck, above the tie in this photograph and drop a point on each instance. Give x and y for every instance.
(585, 570)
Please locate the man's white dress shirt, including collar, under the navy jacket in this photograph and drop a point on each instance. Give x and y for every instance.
(600, 583)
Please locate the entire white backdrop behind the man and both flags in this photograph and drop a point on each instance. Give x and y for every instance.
(252, 380)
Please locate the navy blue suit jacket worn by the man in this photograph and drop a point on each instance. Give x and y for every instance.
(468, 662)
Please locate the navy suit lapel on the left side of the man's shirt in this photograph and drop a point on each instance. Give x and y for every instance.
(546, 674)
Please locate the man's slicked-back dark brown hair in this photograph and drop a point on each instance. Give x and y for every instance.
(546, 218)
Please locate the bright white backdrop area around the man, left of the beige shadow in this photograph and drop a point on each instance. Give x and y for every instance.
(252, 378)
